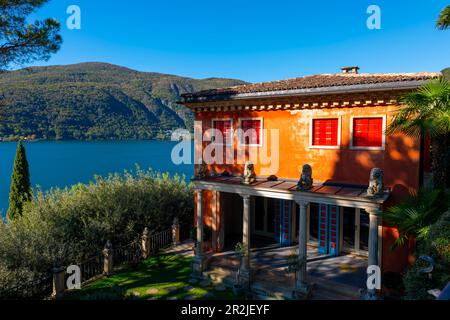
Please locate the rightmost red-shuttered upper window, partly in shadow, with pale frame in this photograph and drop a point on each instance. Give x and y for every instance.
(368, 132)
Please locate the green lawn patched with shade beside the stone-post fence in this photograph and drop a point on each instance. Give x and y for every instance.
(165, 276)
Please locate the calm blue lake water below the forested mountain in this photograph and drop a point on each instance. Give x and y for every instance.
(64, 163)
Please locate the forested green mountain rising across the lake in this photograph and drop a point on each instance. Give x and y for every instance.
(95, 101)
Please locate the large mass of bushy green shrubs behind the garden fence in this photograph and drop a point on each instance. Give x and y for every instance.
(65, 226)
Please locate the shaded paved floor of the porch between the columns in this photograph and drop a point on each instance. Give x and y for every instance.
(334, 277)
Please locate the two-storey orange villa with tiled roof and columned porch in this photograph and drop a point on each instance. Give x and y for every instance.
(335, 123)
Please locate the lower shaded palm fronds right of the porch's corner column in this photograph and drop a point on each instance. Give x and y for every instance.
(416, 214)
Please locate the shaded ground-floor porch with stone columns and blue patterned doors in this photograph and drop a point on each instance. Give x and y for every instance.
(233, 214)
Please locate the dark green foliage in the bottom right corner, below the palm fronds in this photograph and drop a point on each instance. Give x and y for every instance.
(436, 244)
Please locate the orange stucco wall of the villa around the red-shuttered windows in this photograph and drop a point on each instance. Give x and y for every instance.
(399, 160)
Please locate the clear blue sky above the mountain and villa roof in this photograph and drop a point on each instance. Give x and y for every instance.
(253, 40)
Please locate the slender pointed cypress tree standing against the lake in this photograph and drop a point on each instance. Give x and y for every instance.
(20, 191)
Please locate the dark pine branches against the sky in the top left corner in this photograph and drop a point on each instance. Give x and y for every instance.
(21, 41)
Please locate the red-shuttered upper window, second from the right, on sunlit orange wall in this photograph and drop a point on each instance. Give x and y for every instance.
(325, 132)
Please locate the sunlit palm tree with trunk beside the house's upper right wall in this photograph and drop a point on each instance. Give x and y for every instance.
(427, 113)
